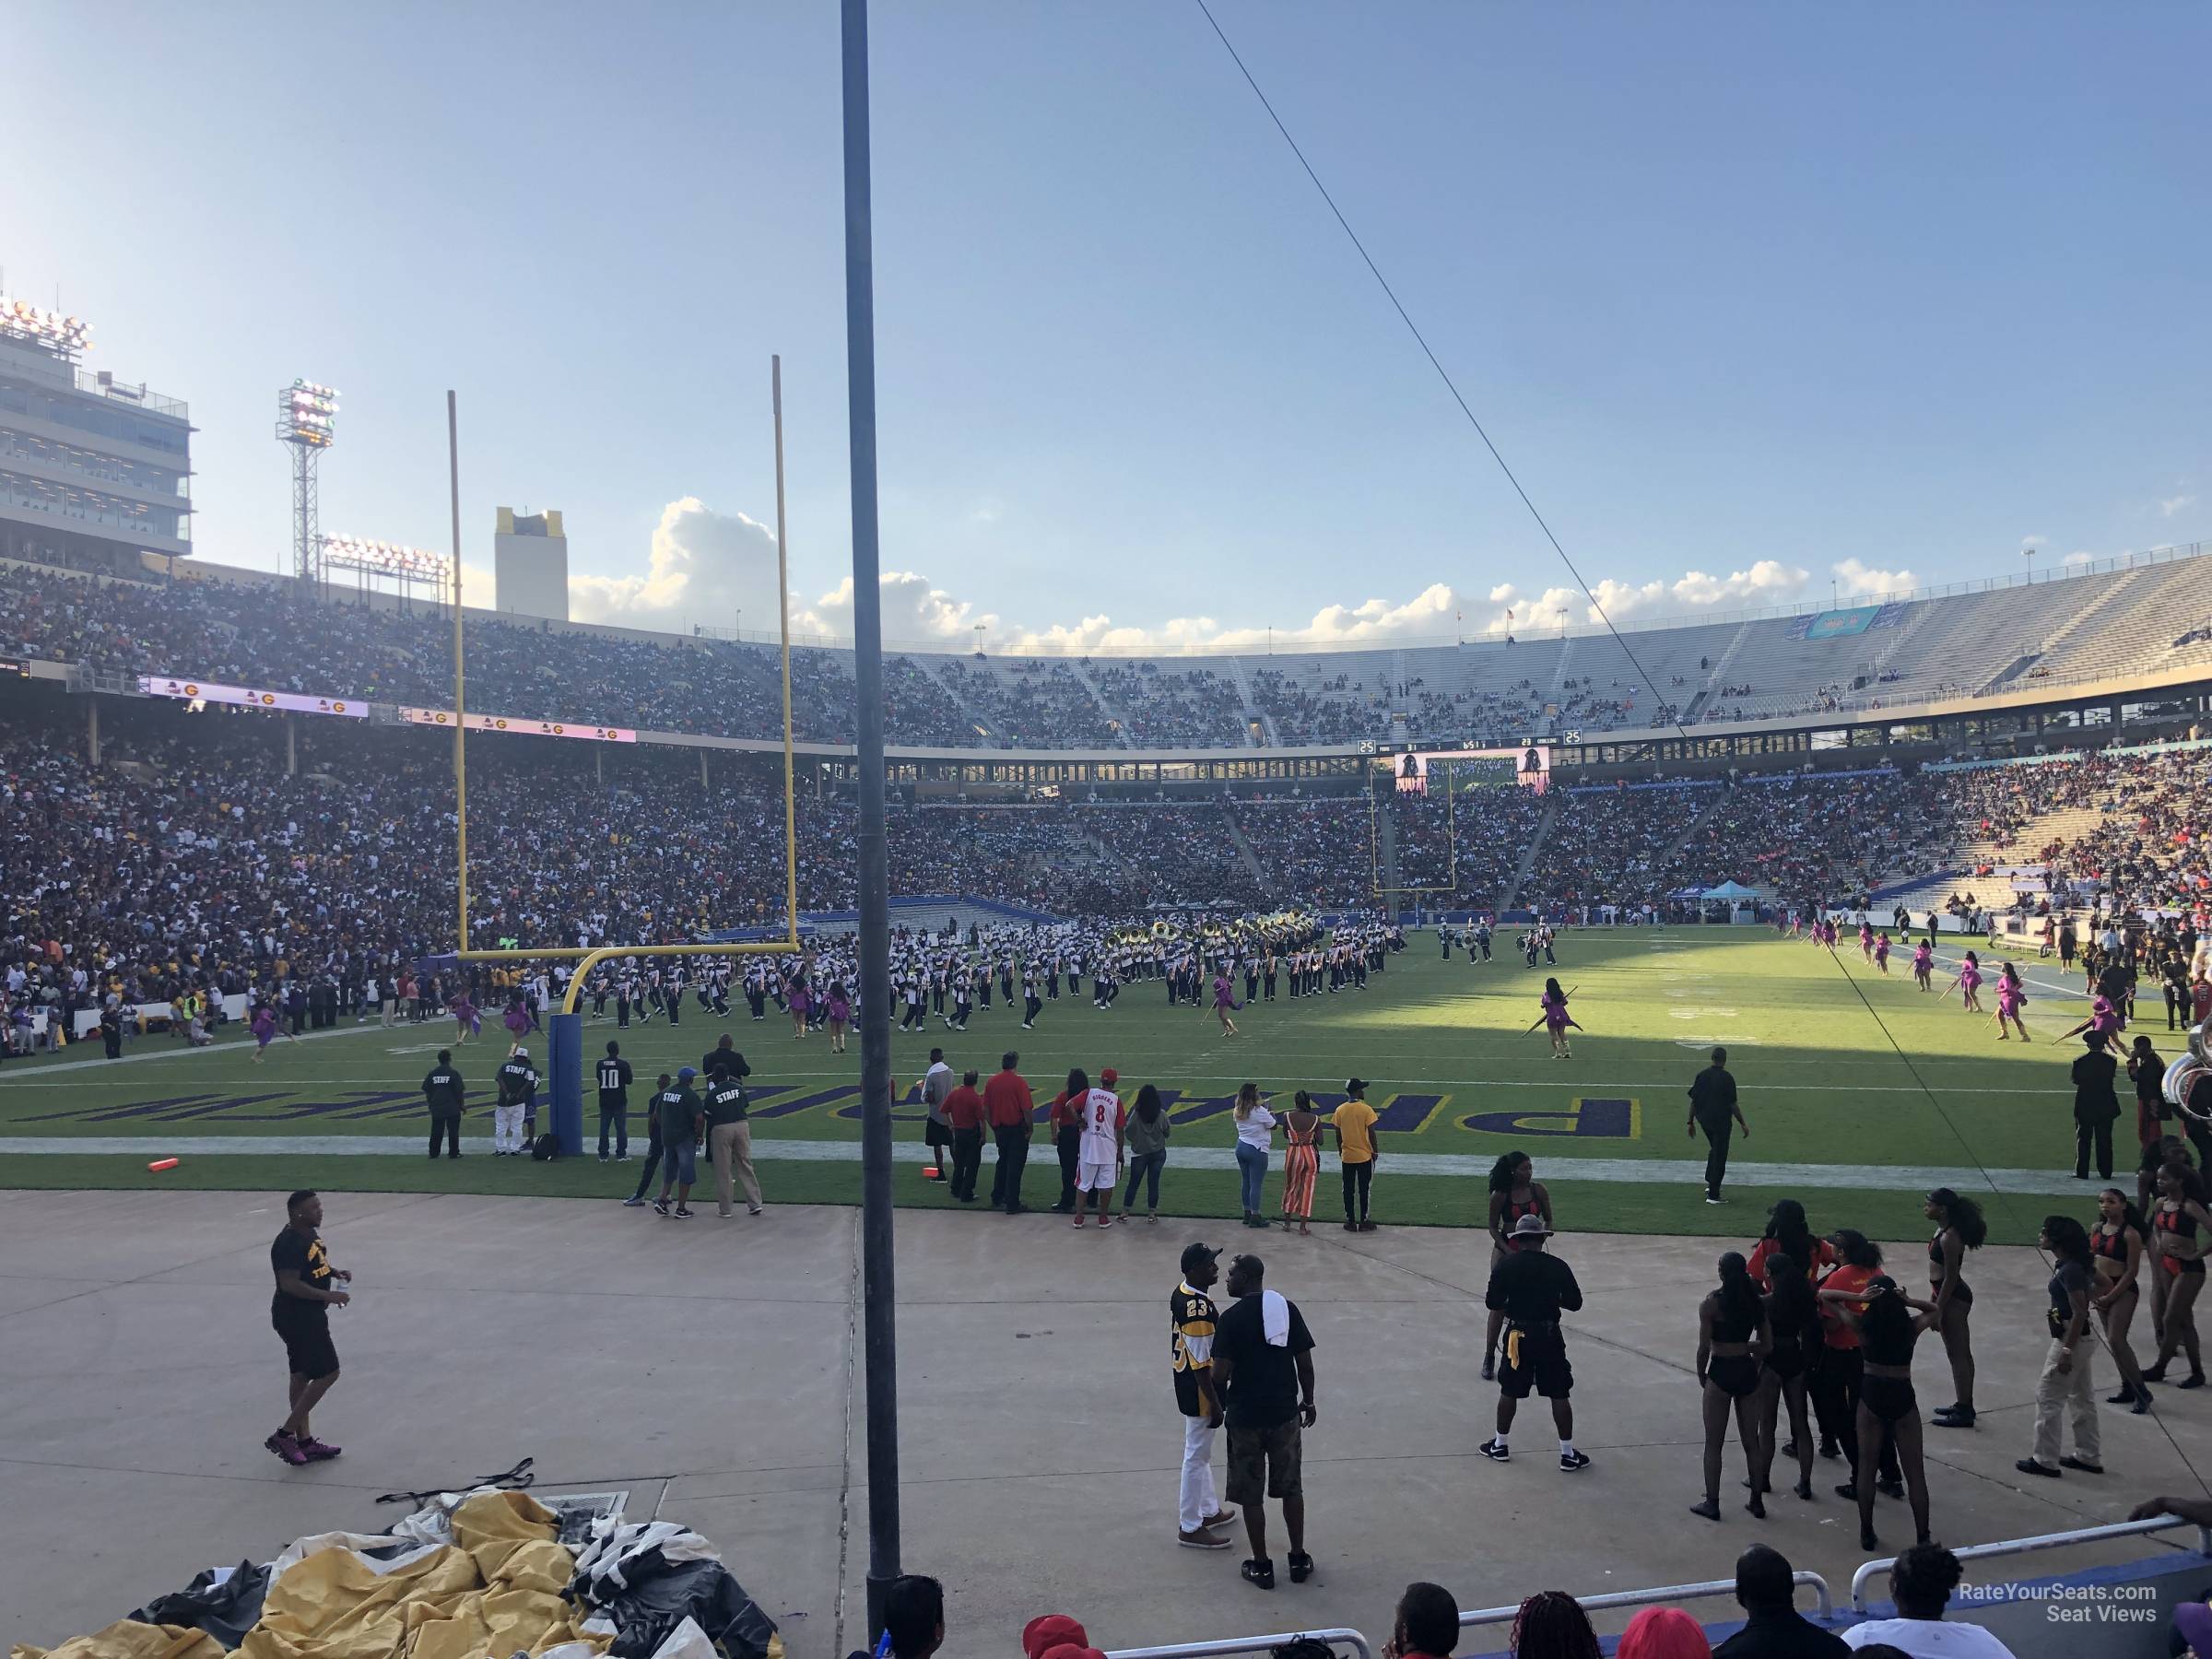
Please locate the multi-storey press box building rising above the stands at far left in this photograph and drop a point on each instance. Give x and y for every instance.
(92, 470)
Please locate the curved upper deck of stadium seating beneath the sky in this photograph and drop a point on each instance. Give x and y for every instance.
(2133, 625)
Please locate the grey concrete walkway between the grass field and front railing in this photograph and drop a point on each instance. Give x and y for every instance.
(713, 1370)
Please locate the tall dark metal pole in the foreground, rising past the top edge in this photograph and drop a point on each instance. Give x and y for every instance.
(877, 1306)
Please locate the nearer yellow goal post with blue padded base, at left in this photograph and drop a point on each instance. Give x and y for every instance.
(567, 1027)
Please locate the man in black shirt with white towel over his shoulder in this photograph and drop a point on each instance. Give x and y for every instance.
(1264, 1368)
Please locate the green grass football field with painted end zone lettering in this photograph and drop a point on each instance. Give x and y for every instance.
(1446, 1045)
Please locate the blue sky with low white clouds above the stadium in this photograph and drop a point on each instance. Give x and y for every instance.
(1762, 304)
